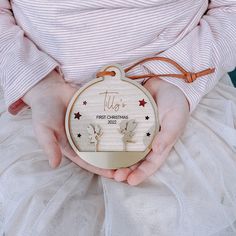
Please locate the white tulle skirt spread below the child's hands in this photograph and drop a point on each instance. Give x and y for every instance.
(194, 193)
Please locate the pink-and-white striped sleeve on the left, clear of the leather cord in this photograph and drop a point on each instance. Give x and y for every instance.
(22, 64)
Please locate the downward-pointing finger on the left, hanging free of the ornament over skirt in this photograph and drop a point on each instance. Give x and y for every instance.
(48, 142)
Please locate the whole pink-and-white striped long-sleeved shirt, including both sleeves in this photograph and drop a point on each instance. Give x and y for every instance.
(80, 37)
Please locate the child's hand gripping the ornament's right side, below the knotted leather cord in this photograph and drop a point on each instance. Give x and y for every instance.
(173, 111)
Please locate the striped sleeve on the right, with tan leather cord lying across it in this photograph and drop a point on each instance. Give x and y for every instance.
(210, 44)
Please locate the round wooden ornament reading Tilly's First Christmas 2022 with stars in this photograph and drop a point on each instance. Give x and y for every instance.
(111, 121)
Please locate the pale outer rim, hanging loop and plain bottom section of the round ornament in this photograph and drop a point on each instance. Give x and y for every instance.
(110, 160)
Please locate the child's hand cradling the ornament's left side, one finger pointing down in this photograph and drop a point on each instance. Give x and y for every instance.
(48, 100)
